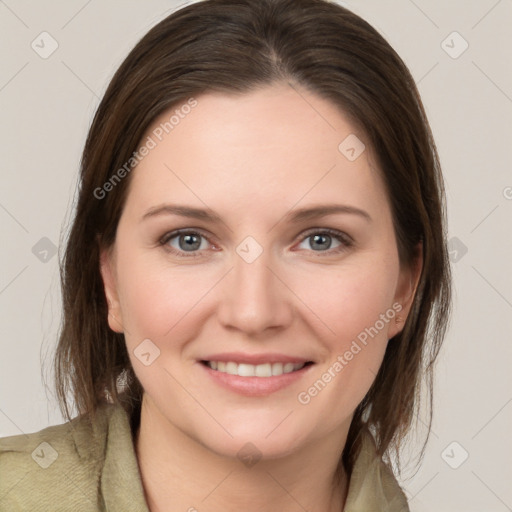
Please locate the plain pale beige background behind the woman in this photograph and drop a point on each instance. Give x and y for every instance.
(46, 106)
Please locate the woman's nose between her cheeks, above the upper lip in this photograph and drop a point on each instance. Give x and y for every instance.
(255, 297)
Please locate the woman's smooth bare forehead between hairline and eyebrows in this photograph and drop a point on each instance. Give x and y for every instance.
(275, 144)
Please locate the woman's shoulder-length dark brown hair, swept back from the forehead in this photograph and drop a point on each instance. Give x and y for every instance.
(234, 46)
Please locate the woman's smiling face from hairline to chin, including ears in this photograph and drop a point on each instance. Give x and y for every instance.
(247, 279)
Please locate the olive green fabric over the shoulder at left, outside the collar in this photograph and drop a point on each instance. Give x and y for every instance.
(59, 464)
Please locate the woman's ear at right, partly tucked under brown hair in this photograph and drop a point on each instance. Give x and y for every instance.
(406, 289)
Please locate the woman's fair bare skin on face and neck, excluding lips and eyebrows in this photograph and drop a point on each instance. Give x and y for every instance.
(252, 159)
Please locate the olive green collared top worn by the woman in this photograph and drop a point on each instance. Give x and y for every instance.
(84, 466)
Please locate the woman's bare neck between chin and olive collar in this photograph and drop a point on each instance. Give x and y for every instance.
(181, 474)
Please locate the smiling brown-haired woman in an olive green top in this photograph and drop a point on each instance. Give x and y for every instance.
(256, 280)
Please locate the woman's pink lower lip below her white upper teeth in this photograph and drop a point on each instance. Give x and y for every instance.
(255, 386)
